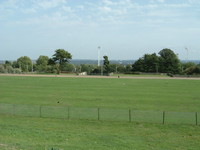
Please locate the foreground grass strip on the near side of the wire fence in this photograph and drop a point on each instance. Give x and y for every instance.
(43, 133)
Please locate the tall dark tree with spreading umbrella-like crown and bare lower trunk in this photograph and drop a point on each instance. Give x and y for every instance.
(62, 57)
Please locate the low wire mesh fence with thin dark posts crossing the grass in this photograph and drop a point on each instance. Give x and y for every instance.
(162, 117)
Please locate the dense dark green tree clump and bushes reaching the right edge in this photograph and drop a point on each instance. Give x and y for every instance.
(165, 62)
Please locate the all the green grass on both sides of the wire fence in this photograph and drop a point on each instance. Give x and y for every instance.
(113, 93)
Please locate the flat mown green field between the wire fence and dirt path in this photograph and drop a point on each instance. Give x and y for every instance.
(136, 94)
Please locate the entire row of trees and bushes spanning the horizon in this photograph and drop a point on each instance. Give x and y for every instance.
(165, 62)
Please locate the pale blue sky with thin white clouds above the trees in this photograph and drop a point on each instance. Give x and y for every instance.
(120, 29)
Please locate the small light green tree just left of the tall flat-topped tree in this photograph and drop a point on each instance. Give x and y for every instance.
(42, 63)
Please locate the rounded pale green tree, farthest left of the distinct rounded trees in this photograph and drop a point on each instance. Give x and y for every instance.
(24, 63)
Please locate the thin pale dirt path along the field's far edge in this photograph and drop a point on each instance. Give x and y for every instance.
(120, 77)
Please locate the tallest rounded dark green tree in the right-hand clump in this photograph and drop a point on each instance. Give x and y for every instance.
(169, 62)
